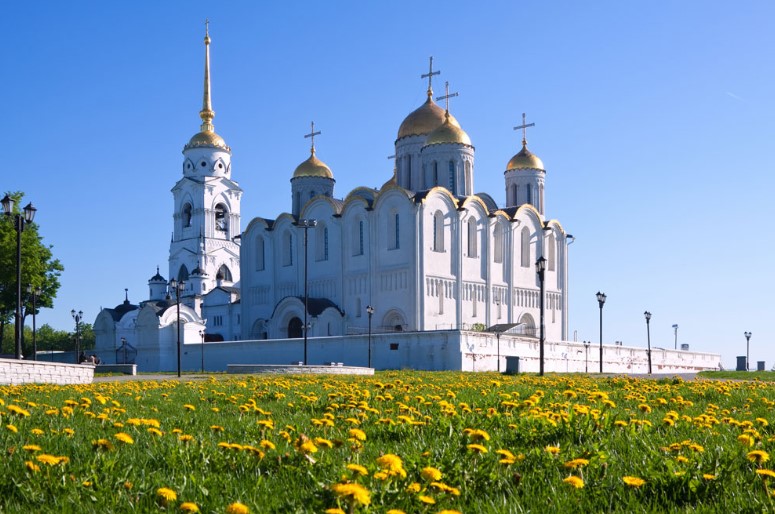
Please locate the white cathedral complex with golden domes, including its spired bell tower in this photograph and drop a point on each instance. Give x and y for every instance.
(423, 253)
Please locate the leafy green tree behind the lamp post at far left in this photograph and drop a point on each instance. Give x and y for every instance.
(39, 269)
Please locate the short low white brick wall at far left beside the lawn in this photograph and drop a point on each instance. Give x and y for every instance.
(16, 372)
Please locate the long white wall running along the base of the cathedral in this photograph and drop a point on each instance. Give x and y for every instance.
(441, 350)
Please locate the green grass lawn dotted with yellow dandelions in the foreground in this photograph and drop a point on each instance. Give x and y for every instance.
(688, 441)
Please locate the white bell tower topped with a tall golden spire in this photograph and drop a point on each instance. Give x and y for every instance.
(203, 253)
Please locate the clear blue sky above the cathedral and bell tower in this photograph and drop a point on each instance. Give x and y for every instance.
(655, 122)
